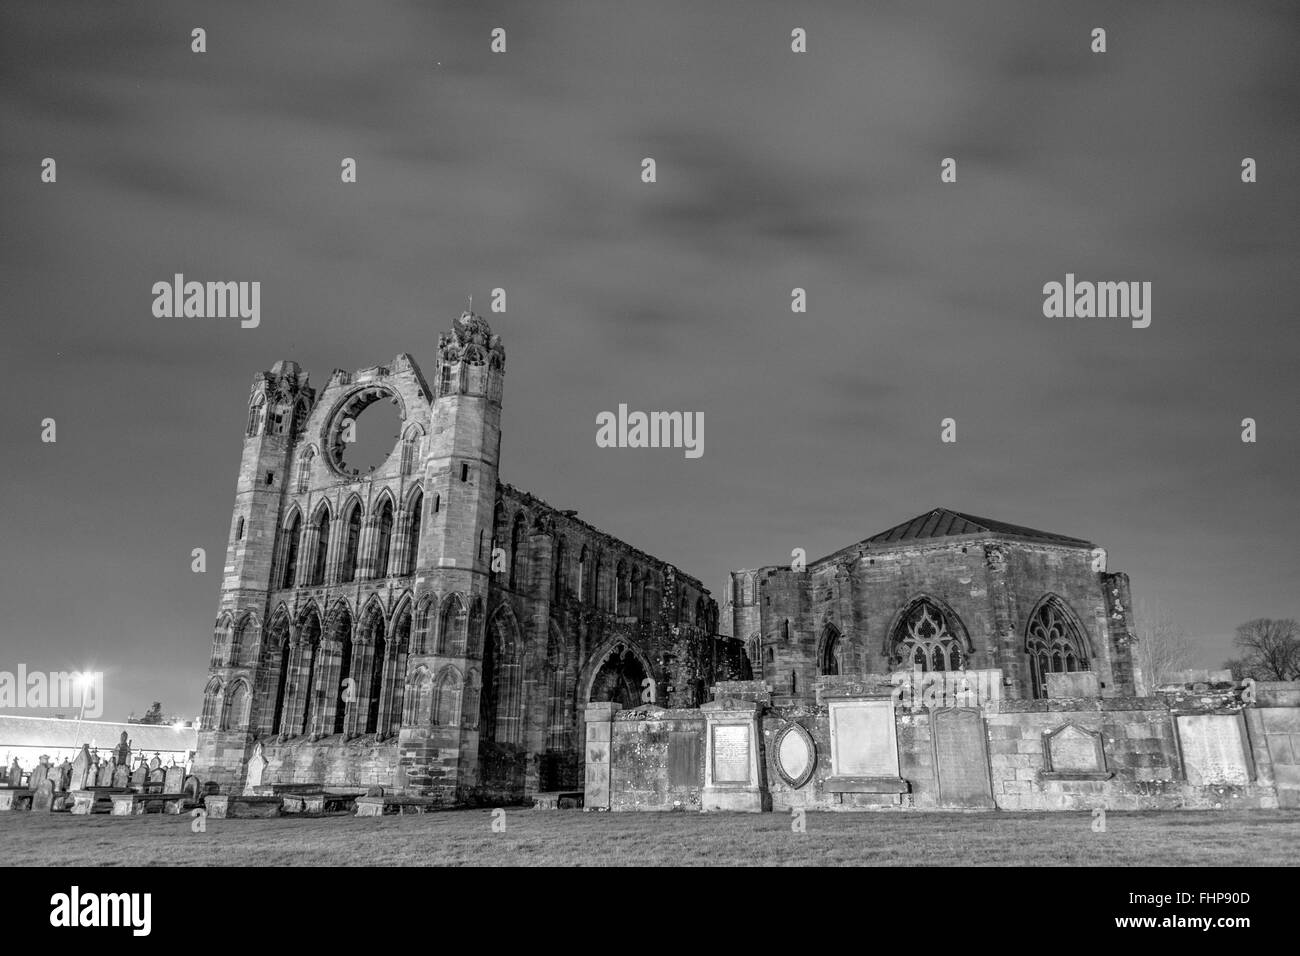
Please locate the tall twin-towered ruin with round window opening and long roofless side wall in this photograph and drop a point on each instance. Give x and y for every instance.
(426, 628)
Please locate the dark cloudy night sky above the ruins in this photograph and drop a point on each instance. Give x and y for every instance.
(775, 171)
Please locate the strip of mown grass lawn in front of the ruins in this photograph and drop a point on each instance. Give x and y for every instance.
(573, 838)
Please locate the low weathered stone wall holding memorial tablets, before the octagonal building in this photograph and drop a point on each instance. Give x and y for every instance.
(656, 758)
